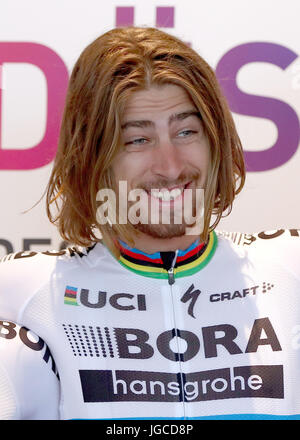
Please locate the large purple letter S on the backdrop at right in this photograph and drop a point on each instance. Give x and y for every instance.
(283, 116)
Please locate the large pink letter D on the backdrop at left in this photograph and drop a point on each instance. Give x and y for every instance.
(57, 76)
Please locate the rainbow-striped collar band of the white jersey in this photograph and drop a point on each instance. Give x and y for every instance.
(188, 262)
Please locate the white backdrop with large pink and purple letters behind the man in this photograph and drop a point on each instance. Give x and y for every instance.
(33, 79)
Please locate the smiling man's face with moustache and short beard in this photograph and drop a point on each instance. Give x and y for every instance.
(163, 147)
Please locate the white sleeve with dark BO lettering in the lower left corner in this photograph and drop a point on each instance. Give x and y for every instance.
(29, 383)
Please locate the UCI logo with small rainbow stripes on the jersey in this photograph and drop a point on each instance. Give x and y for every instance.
(97, 300)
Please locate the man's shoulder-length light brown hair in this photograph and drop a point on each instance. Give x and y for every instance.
(115, 65)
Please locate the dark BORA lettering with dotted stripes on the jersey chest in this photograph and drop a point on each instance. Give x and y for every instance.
(135, 343)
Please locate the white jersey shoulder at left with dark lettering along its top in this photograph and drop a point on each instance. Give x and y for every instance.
(22, 274)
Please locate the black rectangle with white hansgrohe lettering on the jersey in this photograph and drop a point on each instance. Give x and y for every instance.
(154, 386)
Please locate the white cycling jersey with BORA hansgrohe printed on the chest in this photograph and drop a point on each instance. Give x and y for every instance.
(209, 332)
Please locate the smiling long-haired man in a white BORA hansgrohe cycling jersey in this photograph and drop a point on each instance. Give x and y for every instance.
(156, 319)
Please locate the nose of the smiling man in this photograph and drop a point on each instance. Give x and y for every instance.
(167, 161)
